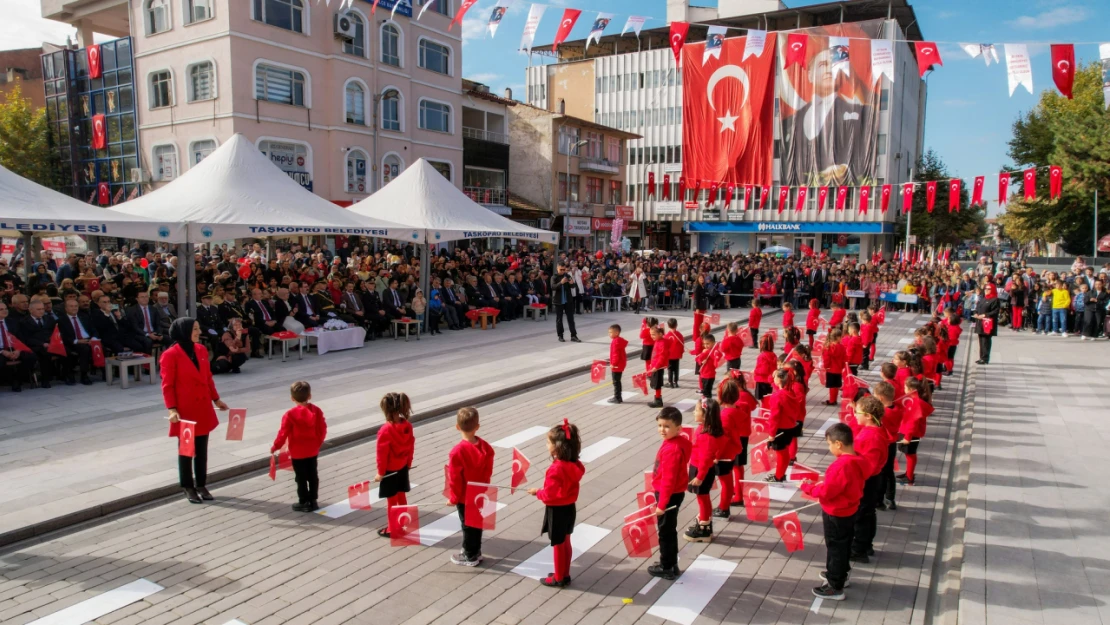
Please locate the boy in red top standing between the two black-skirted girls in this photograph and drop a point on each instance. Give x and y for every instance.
(470, 461)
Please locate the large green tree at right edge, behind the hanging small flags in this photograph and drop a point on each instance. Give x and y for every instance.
(1074, 135)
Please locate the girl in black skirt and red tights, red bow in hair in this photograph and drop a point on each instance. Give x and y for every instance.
(560, 495)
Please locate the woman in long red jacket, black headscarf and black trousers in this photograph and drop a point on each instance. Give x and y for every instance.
(190, 394)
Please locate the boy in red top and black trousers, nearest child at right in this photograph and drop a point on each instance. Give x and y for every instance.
(840, 495)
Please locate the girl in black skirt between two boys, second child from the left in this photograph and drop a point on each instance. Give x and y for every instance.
(396, 448)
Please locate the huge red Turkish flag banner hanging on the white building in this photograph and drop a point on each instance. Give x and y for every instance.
(729, 114)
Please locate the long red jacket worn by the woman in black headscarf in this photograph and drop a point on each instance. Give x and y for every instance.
(189, 389)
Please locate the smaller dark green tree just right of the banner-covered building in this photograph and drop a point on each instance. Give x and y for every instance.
(941, 227)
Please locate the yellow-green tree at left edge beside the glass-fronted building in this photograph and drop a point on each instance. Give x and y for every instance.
(25, 143)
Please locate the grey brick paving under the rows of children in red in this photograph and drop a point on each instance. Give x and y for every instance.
(249, 557)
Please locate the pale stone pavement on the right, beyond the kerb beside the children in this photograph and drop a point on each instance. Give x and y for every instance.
(1036, 547)
